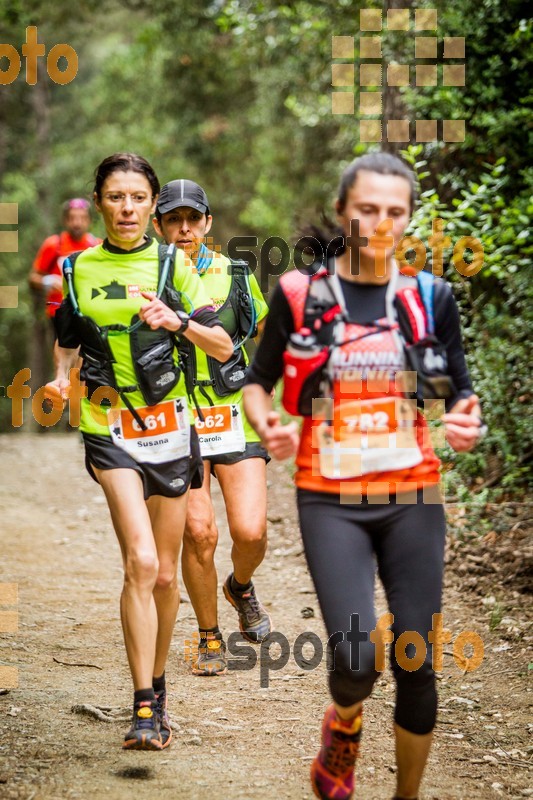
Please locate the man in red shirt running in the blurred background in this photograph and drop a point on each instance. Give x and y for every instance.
(46, 281)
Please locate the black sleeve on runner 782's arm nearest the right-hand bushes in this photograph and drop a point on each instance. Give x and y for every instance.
(448, 331)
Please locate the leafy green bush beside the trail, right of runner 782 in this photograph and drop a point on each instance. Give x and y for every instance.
(496, 311)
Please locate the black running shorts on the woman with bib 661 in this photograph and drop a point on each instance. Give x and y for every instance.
(170, 479)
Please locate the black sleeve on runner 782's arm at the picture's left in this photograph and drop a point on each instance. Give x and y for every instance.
(267, 367)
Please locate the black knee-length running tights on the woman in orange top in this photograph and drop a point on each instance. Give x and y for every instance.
(342, 544)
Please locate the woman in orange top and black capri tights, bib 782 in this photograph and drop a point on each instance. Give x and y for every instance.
(366, 472)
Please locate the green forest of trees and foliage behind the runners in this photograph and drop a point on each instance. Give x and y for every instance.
(237, 95)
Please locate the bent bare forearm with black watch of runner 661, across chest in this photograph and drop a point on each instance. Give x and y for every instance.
(213, 341)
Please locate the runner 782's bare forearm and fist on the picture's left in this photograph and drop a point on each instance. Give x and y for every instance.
(281, 440)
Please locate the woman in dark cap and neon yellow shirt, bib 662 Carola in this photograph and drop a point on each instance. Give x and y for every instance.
(230, 447)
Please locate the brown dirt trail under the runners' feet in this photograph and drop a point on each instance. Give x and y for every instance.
(234, 739)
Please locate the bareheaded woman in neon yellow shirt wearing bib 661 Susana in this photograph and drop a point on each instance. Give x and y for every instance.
(145, 455)
